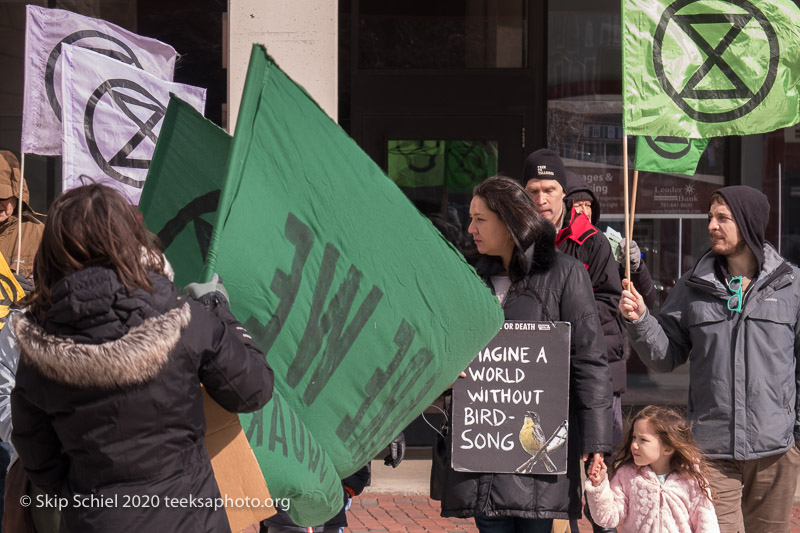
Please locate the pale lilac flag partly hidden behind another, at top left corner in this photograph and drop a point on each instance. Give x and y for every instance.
(45, 32)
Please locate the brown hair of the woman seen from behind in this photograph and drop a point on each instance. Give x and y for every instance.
(88, 226)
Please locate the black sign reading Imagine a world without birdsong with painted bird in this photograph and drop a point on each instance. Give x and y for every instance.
(511, 412)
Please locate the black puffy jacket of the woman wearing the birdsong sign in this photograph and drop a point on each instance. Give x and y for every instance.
(558, 289)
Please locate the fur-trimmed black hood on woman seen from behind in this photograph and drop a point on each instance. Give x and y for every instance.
(99, 334)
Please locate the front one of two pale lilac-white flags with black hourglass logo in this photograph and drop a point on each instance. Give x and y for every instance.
(112, 117)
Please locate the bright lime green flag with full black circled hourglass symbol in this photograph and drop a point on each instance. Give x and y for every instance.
(710, 68)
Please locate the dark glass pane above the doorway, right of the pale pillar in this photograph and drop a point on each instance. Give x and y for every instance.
(418, 34)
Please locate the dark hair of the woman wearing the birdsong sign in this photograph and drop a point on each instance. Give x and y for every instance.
(506, 197)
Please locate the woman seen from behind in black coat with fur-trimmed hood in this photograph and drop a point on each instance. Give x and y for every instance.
(107, 409)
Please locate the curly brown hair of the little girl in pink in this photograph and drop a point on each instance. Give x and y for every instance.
(674, 432)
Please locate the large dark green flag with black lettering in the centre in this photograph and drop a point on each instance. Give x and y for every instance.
(365, 312)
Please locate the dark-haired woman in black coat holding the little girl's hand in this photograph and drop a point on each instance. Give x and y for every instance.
(518, 259)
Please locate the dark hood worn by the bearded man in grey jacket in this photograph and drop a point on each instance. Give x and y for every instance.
(750, 210)
